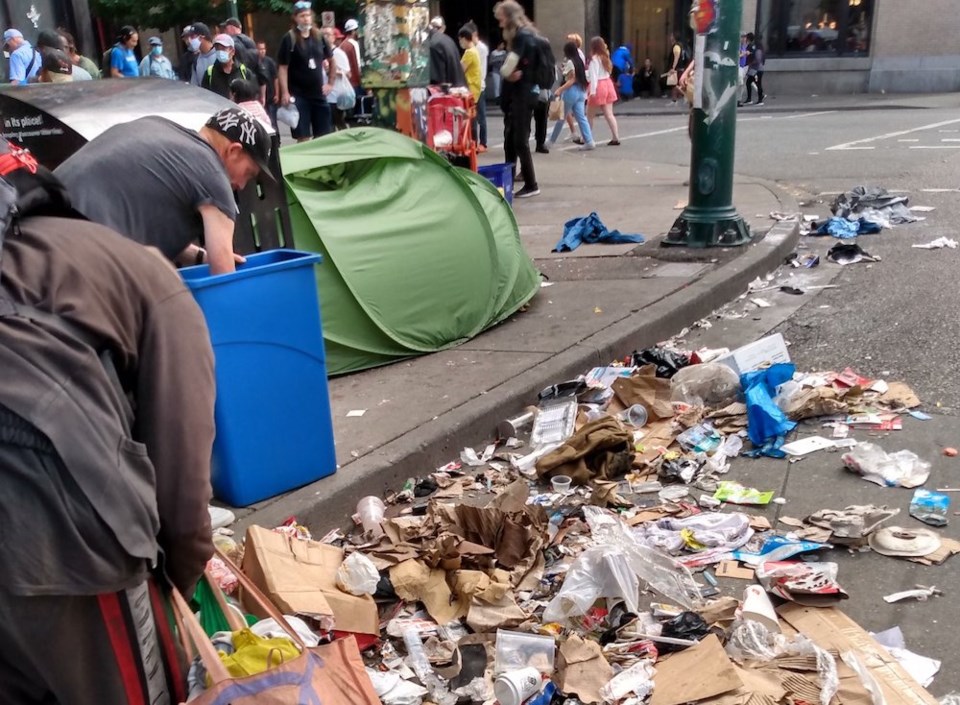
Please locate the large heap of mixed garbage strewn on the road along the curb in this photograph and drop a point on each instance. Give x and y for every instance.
(578, 558)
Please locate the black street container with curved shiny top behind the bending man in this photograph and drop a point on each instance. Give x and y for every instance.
(55, 120)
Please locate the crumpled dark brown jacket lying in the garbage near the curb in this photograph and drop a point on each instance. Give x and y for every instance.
(601, 449)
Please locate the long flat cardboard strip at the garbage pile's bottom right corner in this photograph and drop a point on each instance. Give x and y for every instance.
(831, 629)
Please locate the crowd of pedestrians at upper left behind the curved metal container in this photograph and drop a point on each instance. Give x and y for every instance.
(315, 76)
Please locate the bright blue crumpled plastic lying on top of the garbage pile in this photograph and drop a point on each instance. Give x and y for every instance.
(767, 425)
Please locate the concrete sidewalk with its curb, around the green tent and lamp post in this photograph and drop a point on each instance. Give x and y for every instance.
(600, 302)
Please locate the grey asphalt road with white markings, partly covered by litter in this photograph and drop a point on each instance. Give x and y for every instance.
(895, 319)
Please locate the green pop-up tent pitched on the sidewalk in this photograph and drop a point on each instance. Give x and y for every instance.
(418, 255)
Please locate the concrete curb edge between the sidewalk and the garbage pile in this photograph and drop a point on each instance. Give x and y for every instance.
(331, 501)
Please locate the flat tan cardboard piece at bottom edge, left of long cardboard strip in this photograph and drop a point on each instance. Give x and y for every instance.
(700, 672)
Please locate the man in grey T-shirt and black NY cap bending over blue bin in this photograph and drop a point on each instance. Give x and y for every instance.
(177, 195)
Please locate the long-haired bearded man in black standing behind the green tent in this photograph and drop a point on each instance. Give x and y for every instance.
(520, 90)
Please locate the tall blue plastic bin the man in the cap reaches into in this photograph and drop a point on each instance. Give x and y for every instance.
(274, 431)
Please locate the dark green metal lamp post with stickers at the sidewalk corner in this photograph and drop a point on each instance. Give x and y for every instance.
(710, 219)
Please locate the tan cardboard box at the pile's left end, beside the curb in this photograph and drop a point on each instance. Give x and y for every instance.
(300, 578)
